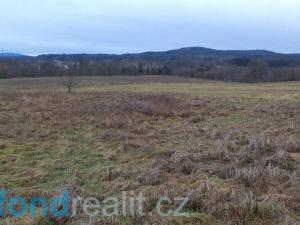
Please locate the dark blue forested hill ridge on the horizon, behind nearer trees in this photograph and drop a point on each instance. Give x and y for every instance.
(185, 55)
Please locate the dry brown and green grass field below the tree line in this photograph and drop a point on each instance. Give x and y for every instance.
(233, 149)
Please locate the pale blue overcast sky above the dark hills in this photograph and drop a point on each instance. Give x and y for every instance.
(119, 26)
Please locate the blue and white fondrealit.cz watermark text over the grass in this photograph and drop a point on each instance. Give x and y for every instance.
(63, 206)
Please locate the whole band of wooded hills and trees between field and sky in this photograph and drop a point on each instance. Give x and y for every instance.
(206, 63)
